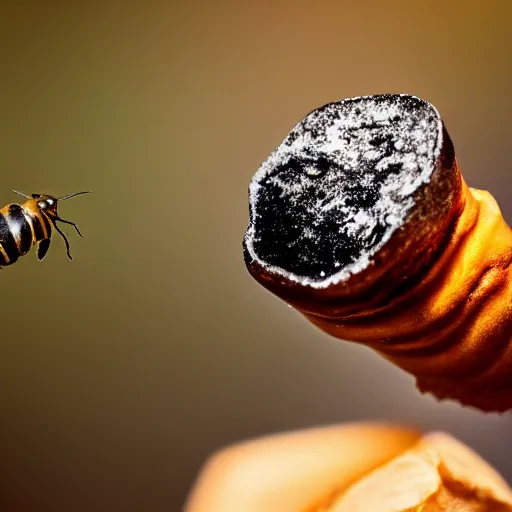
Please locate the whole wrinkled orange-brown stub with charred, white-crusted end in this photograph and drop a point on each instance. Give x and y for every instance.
(362, 221)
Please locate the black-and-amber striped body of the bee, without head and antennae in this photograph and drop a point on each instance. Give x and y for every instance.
(20, 229)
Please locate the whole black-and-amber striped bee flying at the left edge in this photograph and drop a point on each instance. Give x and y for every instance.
(31, 224)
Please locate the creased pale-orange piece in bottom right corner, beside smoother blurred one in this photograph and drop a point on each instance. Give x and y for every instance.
(437, 474)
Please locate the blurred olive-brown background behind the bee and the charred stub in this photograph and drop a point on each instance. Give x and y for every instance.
(123, 370)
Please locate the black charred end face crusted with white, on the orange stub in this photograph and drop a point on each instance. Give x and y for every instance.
(348, 177)
